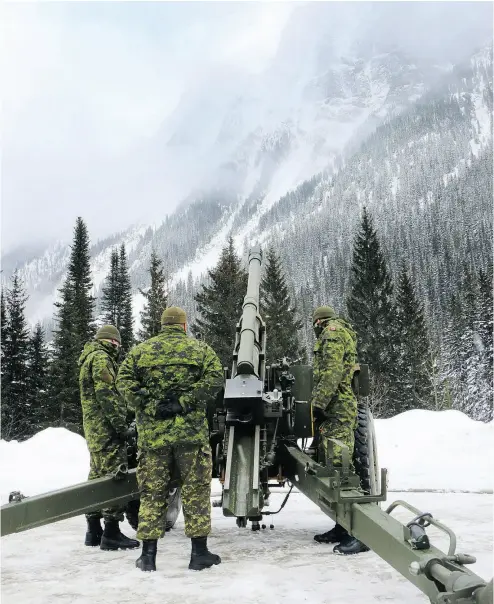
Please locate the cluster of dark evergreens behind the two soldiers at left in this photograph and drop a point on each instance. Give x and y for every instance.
(40, 380)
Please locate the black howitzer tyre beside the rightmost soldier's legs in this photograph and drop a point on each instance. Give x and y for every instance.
(365, 451)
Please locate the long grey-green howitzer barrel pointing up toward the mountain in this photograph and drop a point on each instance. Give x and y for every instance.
(249, 344)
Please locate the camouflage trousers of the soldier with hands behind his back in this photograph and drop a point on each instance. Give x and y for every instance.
(154, 470)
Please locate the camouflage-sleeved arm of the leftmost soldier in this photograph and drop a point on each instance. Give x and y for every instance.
(111, 402)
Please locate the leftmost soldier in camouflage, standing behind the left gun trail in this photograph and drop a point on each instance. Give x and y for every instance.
(105, 428)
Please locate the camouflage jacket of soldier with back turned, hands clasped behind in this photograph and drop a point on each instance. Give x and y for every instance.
(170, 362)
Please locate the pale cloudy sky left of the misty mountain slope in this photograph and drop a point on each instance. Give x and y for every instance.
(81, 85)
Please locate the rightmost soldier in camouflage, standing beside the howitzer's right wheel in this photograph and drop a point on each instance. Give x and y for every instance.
(333, 399)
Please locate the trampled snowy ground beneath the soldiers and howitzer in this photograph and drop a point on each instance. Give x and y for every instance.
(51, 565)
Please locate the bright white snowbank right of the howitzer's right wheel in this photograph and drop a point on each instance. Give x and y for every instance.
(436, 450)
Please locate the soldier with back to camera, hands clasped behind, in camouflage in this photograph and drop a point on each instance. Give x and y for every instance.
(169, 380)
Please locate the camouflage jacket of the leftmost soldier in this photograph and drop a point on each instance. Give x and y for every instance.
(104, 413)
